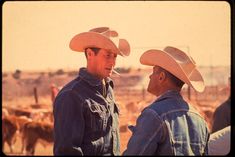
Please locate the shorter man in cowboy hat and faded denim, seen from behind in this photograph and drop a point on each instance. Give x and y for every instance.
(169, 126)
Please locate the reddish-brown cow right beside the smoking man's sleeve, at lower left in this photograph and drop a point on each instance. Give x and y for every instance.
(34, 131)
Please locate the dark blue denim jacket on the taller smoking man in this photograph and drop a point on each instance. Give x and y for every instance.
(86, 122)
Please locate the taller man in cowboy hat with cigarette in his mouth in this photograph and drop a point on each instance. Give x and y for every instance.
(85, 112)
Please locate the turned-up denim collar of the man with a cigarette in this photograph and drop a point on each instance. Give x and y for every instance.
(91, 79)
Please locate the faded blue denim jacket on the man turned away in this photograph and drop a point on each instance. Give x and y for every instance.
(169, 126)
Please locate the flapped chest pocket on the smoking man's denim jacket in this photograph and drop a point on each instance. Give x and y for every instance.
(96, 117)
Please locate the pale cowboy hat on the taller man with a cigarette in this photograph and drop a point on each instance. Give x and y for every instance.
(101, 37)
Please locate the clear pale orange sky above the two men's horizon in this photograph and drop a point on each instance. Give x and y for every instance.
(36, 35)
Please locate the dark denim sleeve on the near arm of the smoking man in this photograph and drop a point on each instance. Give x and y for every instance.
(68, 124)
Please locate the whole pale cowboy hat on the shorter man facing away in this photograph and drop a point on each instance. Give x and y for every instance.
(177, 63)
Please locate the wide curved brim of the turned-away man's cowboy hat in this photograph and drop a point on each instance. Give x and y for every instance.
(176, 67)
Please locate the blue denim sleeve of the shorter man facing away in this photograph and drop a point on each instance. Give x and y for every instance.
(146, 135)
